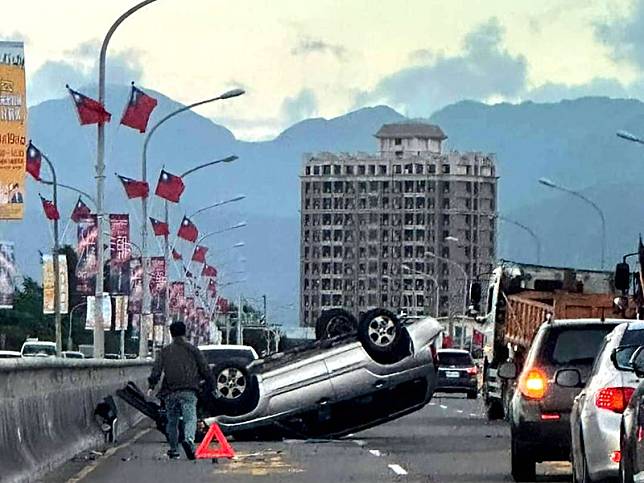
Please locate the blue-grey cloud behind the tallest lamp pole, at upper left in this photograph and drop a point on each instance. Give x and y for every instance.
(80, 69)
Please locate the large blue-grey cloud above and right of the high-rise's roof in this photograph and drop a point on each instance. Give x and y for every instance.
(483, 70)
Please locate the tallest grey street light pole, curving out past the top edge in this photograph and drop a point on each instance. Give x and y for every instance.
(99, 338)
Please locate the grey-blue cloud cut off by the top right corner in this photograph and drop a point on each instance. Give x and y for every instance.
(624, 36)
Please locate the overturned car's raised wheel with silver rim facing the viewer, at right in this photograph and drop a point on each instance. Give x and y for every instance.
(380, 333)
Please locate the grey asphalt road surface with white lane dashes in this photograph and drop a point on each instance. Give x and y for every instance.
(448, 441)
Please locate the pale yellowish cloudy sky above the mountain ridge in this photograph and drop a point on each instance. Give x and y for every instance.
(324, 58)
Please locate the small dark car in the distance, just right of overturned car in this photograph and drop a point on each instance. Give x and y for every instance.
(457, 372)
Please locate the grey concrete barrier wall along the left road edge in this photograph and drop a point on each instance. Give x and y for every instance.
(47, 410)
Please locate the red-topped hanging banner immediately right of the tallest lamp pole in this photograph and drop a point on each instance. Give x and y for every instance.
(120, 254)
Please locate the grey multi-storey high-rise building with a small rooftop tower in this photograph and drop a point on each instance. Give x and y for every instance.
(404, 229)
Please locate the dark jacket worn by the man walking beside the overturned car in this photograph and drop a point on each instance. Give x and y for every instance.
(183, 367)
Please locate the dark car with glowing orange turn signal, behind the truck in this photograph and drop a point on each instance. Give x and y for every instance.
(541, 404)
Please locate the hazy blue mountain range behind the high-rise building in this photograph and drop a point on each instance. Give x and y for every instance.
(572, 142)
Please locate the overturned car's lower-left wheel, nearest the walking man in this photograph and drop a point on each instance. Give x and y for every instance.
(235, 390)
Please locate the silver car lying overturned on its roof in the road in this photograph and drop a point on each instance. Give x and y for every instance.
(383, 369)
